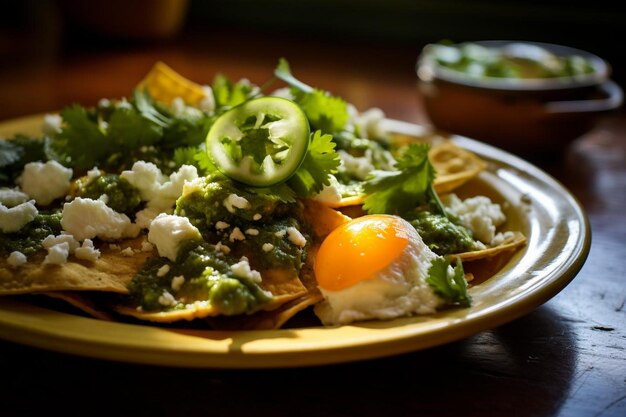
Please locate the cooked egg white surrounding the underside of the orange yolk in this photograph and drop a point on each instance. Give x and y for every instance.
(398, 290)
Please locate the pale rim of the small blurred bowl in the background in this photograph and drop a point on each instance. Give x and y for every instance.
(429, 70)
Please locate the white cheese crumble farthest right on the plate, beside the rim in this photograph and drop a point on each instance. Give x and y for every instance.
(478, 214)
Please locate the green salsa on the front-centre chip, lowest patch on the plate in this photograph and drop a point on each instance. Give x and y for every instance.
(208, 277)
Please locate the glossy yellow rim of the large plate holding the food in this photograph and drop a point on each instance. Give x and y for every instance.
(33, 327)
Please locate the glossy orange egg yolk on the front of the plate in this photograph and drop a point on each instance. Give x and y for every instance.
(357, 250)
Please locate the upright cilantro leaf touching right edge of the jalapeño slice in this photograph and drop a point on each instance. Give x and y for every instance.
(320, 161)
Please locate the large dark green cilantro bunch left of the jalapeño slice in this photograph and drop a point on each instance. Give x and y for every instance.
(113, 138)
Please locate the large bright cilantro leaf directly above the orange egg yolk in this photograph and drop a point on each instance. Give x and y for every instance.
(400, 191)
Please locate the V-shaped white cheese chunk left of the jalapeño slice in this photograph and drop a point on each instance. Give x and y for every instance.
(159, 191)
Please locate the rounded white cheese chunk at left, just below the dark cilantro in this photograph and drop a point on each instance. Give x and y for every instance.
(45, 182)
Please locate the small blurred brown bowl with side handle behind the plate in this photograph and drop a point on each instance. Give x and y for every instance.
(520, 115)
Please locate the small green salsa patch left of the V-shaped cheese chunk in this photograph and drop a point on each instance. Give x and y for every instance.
(122, 196)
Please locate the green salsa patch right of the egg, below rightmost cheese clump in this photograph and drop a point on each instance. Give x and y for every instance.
(440, 234)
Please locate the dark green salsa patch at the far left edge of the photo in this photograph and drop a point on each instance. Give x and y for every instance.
(28, 239)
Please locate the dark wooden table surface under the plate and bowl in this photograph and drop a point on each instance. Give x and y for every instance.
(566, 358)
